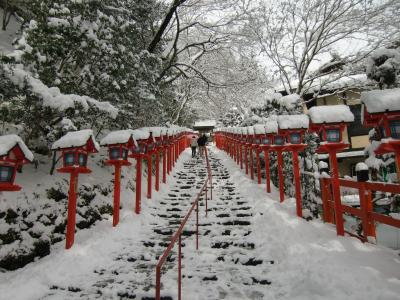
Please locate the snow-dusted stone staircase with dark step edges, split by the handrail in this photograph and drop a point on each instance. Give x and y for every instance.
(223, 268)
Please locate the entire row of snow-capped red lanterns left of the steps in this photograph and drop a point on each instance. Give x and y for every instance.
(140, 144)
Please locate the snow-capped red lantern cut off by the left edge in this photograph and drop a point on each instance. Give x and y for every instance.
(13, 154)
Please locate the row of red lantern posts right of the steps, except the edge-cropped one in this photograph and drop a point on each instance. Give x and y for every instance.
(285, 134)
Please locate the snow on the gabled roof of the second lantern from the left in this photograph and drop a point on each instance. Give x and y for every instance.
(76, 139)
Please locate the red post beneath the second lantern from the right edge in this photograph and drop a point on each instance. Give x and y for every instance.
(336, 194)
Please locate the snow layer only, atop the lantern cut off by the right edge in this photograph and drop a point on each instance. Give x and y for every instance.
(378, 101)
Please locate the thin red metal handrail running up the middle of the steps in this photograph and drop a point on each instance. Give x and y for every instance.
(178, 234)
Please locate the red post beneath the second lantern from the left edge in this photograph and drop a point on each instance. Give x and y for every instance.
(73, 184)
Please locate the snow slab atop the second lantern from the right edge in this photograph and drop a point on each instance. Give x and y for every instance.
(330, 114)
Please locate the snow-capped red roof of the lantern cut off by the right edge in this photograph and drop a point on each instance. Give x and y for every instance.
(375, 103)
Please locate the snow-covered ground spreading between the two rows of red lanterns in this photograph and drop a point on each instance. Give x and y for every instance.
(298, 259)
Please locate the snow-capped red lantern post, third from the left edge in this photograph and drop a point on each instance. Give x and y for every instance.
(119, 143)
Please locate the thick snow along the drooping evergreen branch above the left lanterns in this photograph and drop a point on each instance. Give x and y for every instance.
(52, 97)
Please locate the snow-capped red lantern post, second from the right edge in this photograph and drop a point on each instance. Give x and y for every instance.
(330, 122)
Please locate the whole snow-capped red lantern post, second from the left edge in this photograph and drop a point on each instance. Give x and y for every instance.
(75, 147)
